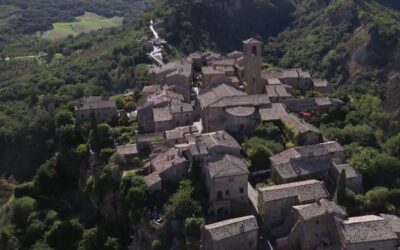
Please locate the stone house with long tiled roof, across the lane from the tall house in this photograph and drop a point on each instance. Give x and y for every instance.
(276, 202)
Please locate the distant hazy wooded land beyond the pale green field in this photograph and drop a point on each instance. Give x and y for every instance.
(20, 20)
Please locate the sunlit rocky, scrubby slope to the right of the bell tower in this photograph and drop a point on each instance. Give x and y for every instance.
(353, 43)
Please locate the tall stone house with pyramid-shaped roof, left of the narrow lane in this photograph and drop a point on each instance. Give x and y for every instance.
(226, 178)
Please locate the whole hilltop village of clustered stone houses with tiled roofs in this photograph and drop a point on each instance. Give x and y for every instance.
(196, 111)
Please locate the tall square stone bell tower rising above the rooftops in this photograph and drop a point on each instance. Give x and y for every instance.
(252, 50)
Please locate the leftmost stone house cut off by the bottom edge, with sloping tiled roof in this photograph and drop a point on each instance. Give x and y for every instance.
(233, 234)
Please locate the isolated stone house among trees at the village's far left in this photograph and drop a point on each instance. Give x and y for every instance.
(97, 108)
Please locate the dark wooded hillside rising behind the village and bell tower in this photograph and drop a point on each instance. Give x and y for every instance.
(354, 43)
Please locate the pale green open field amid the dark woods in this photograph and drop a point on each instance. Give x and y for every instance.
(84, 24)
